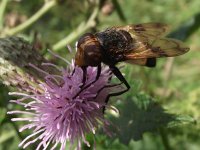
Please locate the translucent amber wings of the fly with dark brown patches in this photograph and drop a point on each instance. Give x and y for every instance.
(149, 42)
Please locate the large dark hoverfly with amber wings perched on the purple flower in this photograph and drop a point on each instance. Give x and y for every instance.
(138, 44)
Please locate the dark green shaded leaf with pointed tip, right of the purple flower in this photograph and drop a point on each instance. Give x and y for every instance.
(141, 114)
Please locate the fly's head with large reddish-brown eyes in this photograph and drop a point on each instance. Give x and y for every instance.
(88, 51)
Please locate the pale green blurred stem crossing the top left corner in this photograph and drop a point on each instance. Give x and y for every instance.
(46, 7)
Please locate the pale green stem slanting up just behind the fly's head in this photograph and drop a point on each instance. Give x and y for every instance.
(77, 32)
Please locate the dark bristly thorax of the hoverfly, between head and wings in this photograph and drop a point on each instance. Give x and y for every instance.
(115, 45)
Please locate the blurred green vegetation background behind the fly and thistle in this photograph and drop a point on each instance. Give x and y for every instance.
(162, 109)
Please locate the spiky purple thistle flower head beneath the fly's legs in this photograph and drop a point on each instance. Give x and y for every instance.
(63, 109)
